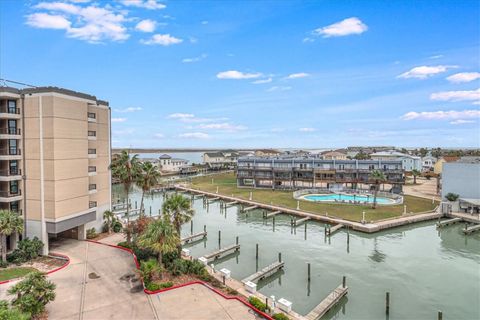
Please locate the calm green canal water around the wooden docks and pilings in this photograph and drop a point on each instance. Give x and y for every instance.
(424, 270)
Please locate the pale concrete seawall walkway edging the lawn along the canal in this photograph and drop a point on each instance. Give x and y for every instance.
(358, 226)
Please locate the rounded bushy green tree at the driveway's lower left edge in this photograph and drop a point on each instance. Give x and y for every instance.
(33, 293)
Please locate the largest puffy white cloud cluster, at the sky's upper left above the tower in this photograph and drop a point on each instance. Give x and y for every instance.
(91, 23)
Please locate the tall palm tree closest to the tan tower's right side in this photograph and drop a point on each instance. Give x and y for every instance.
(127, 170)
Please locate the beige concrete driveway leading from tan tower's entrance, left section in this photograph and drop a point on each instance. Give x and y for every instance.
(95, 284)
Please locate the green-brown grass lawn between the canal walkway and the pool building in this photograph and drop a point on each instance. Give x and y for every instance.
(227, 185)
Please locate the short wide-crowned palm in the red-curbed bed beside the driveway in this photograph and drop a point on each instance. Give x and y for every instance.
(161, 237)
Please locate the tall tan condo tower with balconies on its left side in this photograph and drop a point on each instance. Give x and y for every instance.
(54, 158)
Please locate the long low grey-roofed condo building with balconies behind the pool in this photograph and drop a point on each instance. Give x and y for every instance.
(300, 173)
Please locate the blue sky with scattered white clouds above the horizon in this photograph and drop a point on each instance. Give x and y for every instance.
(299, 74)
